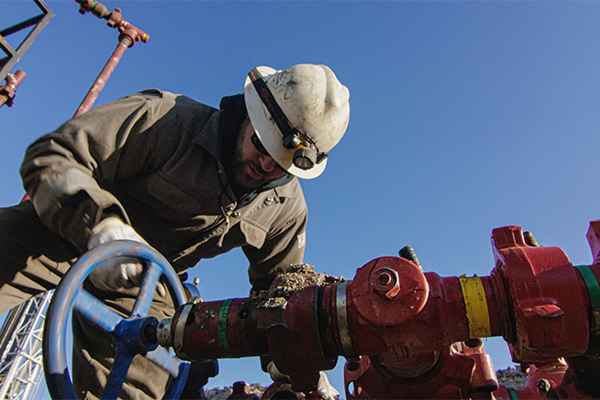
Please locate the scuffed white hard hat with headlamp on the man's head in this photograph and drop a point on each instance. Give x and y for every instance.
(301, 113)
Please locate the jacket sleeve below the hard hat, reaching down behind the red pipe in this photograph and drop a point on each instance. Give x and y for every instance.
(284, 246)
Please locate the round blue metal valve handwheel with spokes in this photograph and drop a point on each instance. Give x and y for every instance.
(70, 296)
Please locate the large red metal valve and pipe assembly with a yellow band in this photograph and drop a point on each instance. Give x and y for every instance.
(403, 322)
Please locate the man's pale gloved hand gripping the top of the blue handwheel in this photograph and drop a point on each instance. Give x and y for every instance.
(118, 272)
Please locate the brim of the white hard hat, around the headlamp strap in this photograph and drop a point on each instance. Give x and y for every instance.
(270, 135)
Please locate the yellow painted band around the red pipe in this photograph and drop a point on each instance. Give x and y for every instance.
(476, 307)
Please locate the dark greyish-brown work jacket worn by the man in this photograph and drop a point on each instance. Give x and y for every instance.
(154, 158)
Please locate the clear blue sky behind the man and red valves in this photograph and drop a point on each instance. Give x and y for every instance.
(465, 116)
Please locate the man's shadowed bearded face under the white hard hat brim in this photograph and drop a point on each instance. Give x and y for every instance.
(251, 168)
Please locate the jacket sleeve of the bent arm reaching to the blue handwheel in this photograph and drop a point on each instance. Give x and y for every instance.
(65, 172)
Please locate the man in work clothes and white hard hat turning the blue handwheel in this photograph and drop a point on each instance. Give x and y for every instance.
(191, 181)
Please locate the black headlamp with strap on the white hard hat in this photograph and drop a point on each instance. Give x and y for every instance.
(306, 152)
